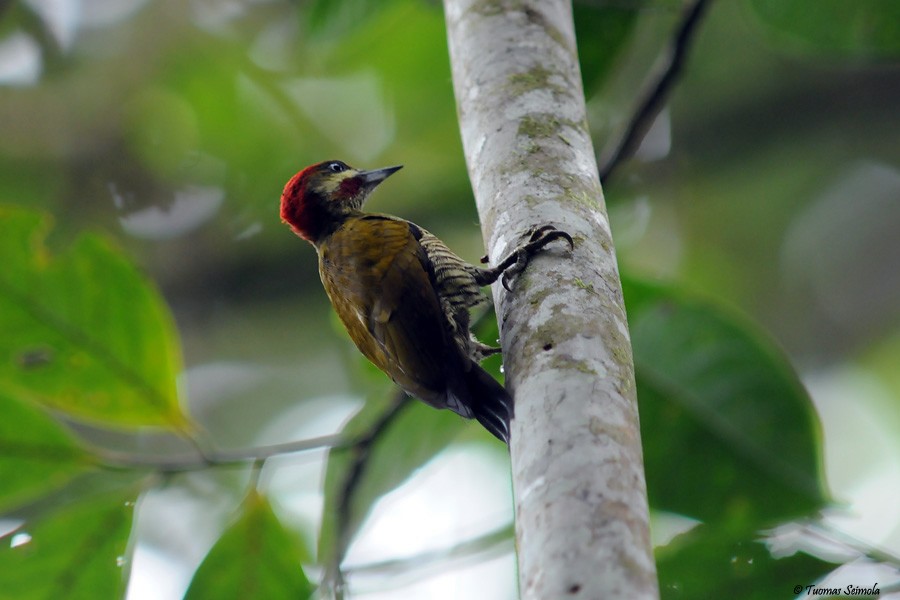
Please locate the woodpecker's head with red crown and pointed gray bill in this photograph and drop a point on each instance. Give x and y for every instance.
(317, 199)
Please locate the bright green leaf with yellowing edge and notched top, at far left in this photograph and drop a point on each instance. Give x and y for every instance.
(84, 332)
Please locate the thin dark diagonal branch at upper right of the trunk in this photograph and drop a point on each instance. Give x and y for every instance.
(655, 98)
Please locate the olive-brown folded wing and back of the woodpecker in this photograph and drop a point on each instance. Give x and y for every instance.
(382, 286)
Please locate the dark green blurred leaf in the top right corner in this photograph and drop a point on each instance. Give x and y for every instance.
(859, 29)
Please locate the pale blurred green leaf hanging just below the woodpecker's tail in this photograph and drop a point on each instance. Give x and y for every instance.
(405, 434)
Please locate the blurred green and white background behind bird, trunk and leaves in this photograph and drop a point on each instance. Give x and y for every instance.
(769, 184)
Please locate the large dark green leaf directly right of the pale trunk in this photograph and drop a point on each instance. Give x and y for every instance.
(729, 432)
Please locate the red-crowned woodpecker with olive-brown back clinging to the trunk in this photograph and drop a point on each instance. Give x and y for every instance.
(402, 295)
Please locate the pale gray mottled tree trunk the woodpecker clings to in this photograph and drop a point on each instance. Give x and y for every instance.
(581, 505)
